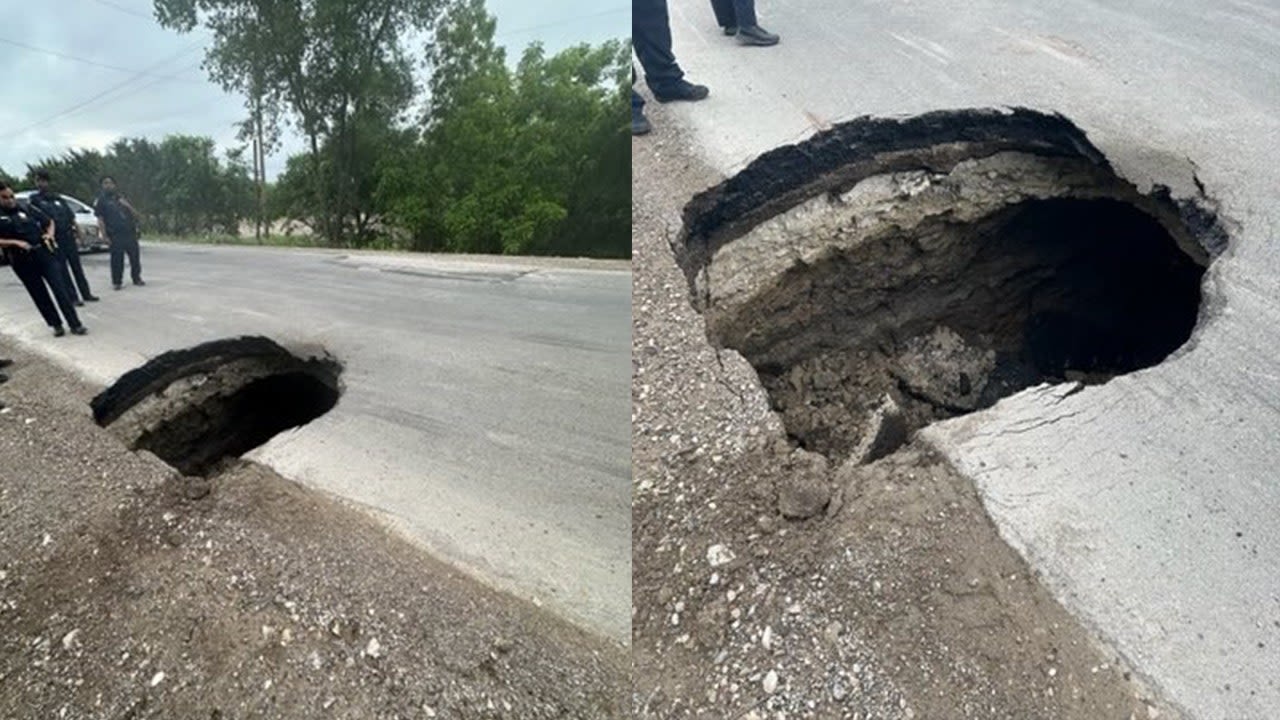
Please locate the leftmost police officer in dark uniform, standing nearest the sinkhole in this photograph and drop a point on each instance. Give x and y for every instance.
(28, 239)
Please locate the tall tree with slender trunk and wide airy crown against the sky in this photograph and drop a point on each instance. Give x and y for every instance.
(337, 66)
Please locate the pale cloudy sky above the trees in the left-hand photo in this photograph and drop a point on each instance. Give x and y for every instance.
(106, 70)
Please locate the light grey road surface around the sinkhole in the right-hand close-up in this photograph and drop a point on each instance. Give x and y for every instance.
(1150, 505)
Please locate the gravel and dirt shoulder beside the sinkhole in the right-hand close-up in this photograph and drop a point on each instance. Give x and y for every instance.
(894, 599)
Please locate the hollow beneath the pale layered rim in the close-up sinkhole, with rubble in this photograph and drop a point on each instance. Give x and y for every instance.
(1045, 290)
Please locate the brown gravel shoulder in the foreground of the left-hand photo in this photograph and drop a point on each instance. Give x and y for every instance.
(130, 593)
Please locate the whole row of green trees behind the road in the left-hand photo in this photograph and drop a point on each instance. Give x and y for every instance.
(490, 156)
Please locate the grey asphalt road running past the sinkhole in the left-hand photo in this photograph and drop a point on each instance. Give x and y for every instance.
(486, 409)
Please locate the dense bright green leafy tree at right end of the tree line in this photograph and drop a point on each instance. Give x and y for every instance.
(533, 161)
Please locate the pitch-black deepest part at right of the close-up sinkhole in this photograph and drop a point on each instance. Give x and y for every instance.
(1110, 293)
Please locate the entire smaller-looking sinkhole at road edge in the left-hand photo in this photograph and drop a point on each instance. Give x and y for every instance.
(200, 407)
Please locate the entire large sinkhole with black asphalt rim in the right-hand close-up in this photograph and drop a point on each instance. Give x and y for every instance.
(895, 272)
